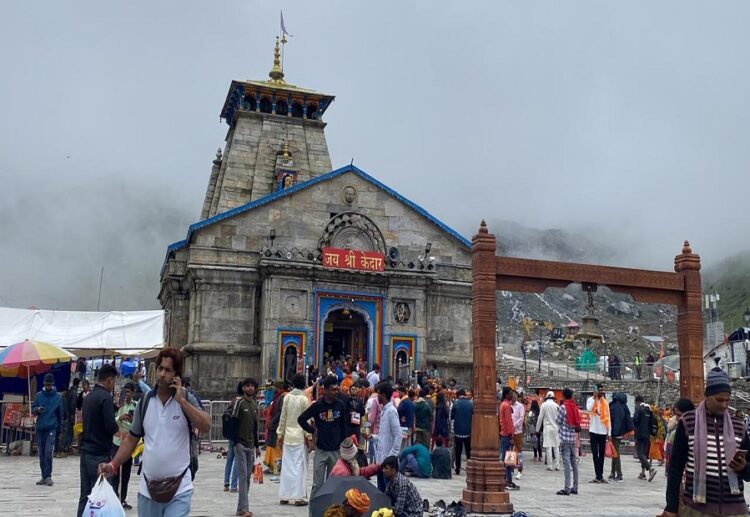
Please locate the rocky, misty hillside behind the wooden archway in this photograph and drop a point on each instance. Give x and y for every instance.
(624, 322)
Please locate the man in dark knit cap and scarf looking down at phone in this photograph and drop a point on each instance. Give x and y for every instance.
(710, 446)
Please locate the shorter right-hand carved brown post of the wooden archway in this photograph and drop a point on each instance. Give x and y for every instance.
(690, 325)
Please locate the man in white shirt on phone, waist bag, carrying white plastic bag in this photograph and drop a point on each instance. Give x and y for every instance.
(165, 427)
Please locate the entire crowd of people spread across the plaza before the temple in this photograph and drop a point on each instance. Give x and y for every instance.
(358, 424)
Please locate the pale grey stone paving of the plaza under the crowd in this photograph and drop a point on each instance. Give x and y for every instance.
(20, 496)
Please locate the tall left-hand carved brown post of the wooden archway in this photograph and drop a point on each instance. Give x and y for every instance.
(485, 475)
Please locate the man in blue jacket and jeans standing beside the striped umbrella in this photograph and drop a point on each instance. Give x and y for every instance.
(48, 409)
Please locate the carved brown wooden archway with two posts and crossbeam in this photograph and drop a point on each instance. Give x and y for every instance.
(485, 481)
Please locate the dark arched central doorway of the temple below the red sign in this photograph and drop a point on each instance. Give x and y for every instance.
(345, 334)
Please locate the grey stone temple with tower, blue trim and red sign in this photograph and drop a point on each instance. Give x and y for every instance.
(292, 262)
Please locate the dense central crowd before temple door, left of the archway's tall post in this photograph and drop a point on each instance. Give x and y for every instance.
(357, 424)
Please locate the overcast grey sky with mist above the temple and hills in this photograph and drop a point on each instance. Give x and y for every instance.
(628, 120)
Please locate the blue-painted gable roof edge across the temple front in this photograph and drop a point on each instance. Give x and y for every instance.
(302, 186)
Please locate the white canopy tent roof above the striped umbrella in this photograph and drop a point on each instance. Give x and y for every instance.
(85, 333)
